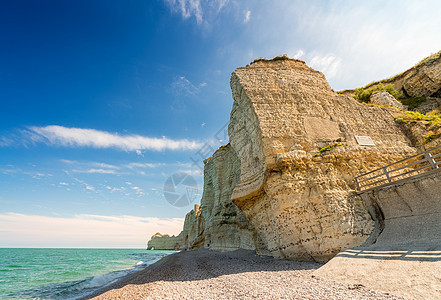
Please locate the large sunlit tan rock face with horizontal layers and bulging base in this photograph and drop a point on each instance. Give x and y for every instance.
(301, 204)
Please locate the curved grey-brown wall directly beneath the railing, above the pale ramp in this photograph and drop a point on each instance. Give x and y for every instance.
(410, 210)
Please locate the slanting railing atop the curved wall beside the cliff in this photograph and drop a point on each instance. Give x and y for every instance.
(406, 168)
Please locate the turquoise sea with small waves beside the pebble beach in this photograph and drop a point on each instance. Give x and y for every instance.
(42, 273)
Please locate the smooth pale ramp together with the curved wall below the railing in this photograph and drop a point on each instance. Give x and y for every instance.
(405, 258)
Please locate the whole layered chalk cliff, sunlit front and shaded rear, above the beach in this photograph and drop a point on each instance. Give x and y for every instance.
(284, 184)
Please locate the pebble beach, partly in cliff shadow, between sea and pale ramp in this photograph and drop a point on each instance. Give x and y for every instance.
(241, 274)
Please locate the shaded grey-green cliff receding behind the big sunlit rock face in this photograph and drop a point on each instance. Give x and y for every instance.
(217, 223)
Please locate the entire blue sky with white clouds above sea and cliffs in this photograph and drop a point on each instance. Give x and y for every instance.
(108, 108)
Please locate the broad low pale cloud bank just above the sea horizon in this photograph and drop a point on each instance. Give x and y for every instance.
(19, 230)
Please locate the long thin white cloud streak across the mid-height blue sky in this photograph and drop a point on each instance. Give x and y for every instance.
(80, 137)
